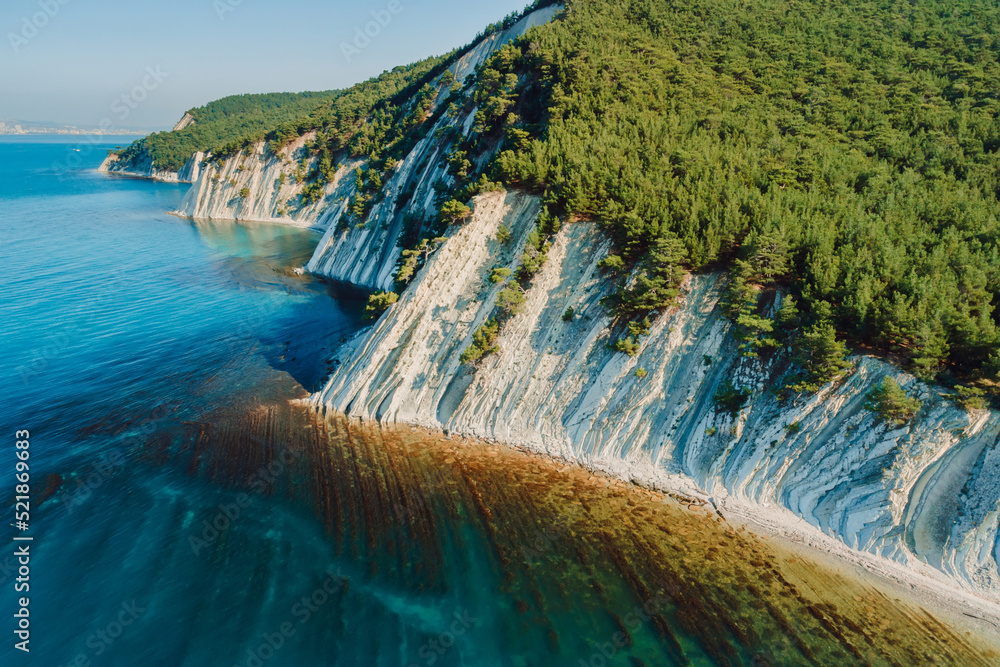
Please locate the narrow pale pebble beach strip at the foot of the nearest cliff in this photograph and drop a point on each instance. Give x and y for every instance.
(963, 610)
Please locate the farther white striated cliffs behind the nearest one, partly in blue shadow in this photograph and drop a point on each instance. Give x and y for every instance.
(364, 254)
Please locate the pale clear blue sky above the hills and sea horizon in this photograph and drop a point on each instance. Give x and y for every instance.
(88, 53)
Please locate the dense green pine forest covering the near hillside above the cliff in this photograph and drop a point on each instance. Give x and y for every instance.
(845, 152)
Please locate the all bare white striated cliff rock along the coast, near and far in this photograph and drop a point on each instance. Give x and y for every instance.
(924, 497)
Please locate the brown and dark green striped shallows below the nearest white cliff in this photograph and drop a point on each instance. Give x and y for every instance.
(568, 564)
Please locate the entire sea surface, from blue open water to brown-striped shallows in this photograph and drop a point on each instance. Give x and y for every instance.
(187, 513)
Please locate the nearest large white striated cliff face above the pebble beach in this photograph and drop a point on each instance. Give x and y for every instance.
(926, 495)
